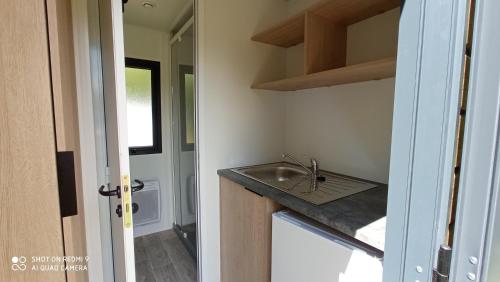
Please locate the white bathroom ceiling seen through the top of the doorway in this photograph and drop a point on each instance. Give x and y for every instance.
(161, 16)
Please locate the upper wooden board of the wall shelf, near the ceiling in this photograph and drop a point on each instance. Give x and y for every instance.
(344, 12)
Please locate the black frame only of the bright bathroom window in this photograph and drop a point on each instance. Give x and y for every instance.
(154, 67)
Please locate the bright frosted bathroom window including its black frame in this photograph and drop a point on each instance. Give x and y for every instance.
(143, 106)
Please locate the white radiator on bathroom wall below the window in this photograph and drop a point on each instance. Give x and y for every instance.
(149, 203)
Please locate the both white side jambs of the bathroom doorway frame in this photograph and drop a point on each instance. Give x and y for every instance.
(86, 31)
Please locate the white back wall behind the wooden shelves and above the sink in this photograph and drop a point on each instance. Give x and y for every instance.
(347, 128)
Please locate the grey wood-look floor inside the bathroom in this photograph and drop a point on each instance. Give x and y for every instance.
(162, 257)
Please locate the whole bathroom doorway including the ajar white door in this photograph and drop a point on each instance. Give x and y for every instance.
(145, 132)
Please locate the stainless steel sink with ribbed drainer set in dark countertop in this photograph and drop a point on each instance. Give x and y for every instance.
(296, 181)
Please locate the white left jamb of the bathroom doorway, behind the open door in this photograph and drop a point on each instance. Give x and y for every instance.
(100, 268)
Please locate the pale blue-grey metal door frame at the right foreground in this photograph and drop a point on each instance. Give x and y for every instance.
(430, 63)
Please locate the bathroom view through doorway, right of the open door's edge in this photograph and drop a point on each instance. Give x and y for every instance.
(159, 62)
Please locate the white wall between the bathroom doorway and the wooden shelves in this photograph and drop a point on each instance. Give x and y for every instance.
(237, 126)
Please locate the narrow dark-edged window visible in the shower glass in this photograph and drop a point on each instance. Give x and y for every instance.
(187, 107)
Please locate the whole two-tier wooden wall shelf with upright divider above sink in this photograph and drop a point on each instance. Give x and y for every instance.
(323, 30)
